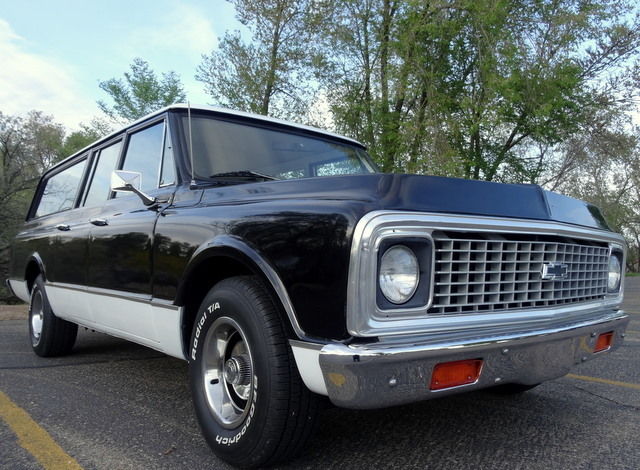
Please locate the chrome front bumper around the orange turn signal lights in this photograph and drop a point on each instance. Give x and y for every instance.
(393, 372)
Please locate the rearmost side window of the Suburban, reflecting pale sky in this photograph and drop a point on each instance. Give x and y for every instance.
(60, 190)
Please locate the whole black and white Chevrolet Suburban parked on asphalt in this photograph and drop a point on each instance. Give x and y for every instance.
(281, 265)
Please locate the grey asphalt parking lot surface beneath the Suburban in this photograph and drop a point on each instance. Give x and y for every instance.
(115, 405)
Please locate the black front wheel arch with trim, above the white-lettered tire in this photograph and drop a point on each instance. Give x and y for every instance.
(222, 258)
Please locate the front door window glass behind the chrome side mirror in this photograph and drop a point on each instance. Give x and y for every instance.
(144, 153)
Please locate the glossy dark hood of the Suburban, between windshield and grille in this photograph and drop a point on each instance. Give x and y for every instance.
(422, 194)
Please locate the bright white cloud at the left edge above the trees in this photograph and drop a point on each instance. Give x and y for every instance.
(31, 81)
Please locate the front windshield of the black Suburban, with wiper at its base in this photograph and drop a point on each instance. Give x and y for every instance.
(221, 147)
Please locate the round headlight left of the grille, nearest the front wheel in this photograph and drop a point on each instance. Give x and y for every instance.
(399, 274)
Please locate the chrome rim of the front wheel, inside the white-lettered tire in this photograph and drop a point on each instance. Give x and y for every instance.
(227, 372)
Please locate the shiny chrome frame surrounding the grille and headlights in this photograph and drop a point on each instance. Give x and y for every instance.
(365, 318)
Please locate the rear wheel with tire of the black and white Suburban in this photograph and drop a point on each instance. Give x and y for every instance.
(50, 335)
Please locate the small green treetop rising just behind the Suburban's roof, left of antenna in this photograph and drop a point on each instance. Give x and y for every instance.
(140, 92)
